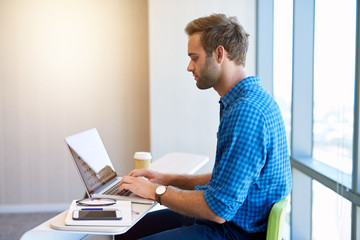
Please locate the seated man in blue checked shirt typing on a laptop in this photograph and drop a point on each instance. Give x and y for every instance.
(252, 167)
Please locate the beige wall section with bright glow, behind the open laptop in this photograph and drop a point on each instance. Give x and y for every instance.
(67, 66)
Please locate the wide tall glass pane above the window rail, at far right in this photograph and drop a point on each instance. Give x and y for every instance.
(334, 70)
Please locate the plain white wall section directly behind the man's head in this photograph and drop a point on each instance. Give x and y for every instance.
(183, 118)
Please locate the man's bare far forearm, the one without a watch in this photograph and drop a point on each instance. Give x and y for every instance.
(187, 182)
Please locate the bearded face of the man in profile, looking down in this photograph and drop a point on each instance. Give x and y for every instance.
(205, 70)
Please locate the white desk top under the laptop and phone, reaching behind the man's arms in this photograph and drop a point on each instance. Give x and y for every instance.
(55, 228)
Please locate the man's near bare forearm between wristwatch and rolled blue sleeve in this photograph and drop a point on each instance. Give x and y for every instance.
(189, 203)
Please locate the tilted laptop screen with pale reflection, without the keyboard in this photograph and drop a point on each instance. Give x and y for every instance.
(91, 159)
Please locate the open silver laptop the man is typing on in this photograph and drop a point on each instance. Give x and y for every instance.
(96, 169)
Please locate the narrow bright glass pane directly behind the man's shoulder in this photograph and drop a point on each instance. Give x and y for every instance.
(283, 16)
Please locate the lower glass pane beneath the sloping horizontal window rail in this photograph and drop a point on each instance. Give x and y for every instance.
(331, 214)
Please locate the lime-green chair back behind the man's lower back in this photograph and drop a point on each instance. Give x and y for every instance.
(276, 220)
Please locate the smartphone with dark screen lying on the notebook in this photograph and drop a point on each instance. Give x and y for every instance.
(97, 215)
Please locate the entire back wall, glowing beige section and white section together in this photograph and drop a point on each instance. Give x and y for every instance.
(70, 65)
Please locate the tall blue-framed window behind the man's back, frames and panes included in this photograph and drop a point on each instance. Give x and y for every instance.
(320, 108)
